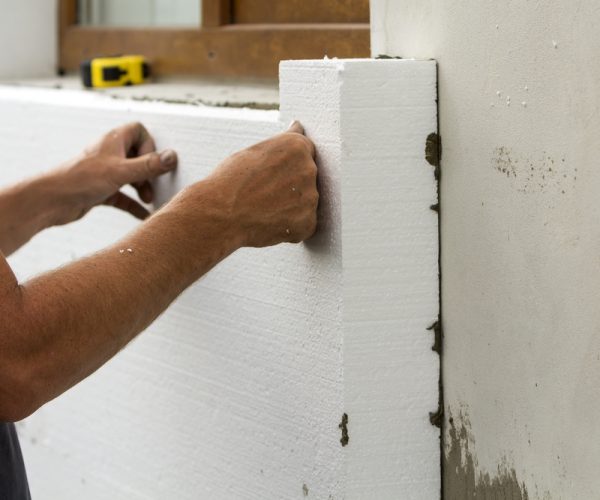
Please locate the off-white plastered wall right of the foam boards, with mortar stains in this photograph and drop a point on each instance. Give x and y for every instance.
(519, 98)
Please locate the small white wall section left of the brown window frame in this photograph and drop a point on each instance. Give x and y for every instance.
(28, 38)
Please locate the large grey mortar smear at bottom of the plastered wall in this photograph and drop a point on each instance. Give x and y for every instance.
(461, 479)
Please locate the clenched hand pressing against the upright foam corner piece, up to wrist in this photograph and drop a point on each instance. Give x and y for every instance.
(272, 188)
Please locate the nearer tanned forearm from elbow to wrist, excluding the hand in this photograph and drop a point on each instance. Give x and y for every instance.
(67, 323)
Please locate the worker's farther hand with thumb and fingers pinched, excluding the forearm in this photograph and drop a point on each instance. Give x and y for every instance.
(126, 155)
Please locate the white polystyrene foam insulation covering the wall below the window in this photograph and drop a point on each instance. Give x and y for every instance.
(238, 390)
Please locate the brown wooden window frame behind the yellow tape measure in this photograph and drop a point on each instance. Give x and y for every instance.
(218, 48)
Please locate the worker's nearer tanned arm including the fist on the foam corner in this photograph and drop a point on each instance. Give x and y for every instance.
(62, 326)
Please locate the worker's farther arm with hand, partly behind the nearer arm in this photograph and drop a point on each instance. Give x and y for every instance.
(125, 155)
